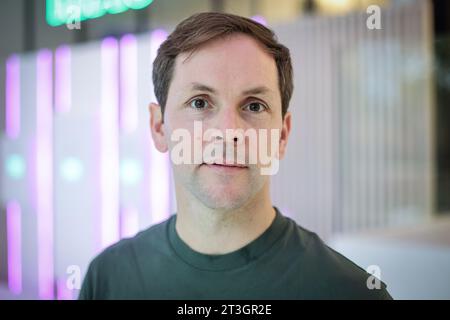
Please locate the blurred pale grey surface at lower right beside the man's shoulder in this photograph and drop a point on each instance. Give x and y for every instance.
(414, 261)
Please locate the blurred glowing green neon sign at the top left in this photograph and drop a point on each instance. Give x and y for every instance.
(59, 12)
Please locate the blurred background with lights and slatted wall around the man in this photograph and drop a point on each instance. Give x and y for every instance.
(368, 163)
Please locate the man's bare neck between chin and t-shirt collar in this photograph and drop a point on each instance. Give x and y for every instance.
(212, 231)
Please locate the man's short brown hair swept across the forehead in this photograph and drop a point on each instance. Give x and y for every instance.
(200, 28)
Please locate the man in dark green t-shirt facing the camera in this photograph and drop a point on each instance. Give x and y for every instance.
(226, 241)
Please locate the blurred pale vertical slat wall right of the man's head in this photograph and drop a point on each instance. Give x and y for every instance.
(360, 153)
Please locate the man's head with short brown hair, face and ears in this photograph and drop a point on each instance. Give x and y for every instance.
(225, 72)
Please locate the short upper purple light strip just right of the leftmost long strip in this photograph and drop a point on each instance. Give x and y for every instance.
(63, 84)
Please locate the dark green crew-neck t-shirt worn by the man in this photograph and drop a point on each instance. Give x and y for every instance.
(285, 262)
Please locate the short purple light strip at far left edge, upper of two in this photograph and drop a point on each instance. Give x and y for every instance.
(12, 111)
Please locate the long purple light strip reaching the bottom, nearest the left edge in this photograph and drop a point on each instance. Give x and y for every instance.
(44, 173)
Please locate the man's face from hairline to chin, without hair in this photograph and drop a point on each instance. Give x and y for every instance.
(229, 83)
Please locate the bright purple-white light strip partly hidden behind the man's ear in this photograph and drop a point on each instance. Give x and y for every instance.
(159, 163)
